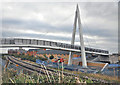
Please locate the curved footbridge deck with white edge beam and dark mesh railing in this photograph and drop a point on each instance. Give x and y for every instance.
(34, 43)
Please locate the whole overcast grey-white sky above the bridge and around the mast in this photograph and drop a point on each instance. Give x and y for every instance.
(54, 21)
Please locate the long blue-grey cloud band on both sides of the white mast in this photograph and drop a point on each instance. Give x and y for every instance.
(40, 26)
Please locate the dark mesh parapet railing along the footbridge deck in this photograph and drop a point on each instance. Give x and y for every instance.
(19, 41)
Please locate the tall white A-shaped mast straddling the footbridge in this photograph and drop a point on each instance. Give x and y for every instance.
(77, 16)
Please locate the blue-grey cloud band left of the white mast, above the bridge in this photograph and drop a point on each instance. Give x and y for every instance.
(33, 25)
